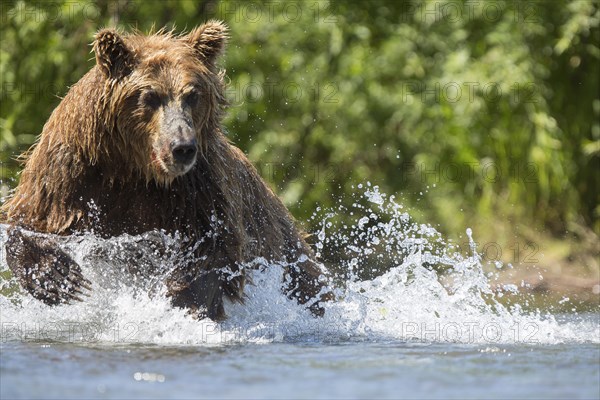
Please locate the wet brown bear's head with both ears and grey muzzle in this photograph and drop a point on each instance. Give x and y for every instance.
(163, 96)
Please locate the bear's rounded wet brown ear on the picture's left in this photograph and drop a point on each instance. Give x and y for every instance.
(113, 56)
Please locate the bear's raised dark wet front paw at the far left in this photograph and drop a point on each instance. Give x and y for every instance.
(43, 269)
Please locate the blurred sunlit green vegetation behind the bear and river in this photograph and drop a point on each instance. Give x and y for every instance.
(475, 114)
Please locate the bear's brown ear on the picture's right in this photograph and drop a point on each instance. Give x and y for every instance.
(209, 40)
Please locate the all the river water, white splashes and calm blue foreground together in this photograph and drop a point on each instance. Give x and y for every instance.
(427, 324)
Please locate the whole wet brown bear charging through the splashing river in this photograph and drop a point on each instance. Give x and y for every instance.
(139, 138)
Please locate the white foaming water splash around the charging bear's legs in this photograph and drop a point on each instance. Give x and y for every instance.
(396, 280)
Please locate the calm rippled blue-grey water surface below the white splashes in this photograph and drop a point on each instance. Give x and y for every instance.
(344, 369)
